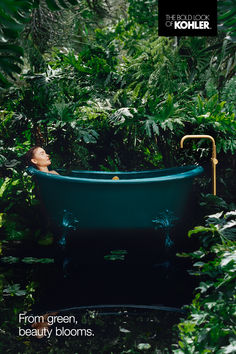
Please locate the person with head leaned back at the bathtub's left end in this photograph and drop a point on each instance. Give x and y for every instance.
(38, 158)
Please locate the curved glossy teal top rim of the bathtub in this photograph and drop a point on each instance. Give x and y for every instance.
(192, 172)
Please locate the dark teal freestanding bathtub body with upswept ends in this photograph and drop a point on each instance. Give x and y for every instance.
(92, 200)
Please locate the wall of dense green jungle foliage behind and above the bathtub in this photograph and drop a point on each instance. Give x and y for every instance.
(123, 87)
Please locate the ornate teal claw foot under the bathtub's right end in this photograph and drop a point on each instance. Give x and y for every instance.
(165, 220)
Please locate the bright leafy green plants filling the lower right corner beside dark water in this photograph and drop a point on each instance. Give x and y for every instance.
(210, 325)
